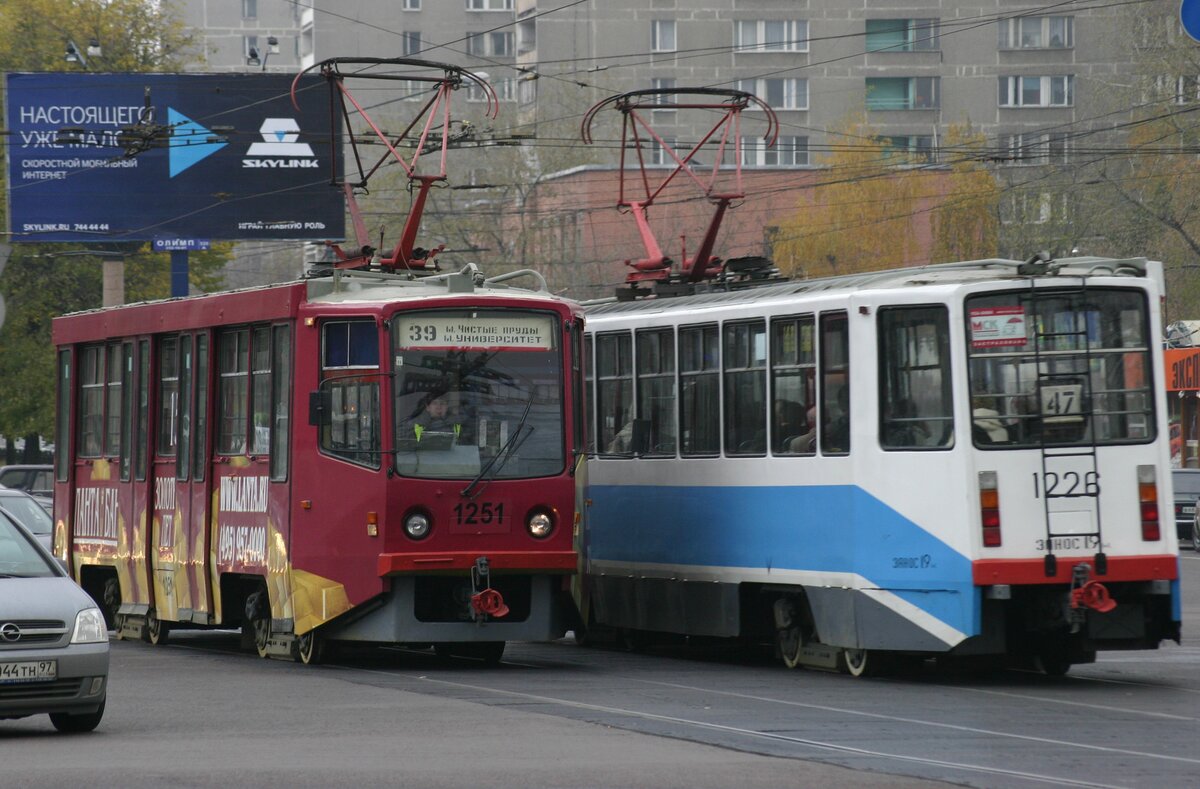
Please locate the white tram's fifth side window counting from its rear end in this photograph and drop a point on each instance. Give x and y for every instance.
(700, 392)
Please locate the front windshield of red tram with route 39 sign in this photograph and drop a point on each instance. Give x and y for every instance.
(478, 393)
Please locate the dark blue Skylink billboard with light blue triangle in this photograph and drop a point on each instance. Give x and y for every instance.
(136, 158)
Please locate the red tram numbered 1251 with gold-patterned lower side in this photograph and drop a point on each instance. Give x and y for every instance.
(265, 460)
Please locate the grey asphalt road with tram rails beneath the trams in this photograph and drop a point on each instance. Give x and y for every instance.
(200, 714)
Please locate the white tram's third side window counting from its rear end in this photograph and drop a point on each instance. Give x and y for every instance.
(794, 374)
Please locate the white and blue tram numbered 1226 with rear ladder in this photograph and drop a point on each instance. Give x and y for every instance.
(958, 460)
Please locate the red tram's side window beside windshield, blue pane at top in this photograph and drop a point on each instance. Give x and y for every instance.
(351, 376)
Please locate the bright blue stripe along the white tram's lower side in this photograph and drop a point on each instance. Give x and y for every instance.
(817, 529)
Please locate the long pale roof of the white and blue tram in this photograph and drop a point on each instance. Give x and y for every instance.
(945, 274)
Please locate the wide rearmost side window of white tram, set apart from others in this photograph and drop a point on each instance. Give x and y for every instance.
(916, 402)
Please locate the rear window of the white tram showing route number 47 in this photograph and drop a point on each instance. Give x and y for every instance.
(1058, 368)
